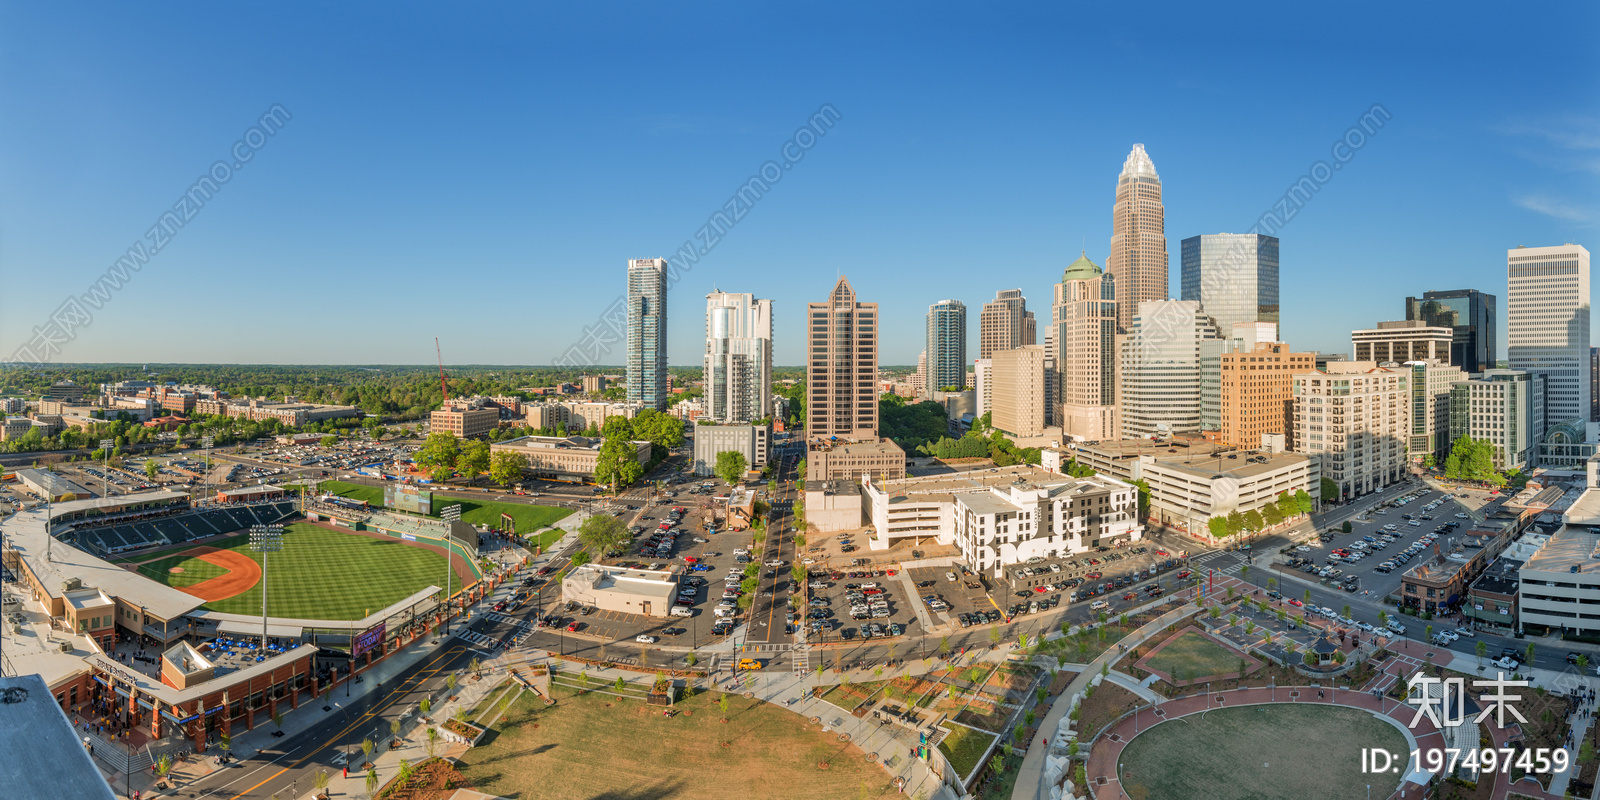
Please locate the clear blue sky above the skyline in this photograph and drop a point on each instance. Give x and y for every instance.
(482, 172)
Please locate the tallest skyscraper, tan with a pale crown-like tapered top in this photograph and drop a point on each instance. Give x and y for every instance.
(1138, 238)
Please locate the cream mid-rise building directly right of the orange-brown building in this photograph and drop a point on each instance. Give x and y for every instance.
(1356, 418)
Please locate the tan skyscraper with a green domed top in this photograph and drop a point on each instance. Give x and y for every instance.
(1084, 334)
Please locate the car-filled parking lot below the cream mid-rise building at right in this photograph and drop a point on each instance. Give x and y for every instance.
(1382, 548)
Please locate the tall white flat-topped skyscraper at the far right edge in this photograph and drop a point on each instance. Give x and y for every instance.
(1548, 326)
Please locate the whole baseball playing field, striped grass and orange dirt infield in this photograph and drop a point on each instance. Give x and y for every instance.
(321, 574)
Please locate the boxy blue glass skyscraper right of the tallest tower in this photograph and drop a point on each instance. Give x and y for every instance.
(1233, 276)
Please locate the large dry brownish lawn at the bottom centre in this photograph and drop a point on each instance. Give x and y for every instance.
(574, 751)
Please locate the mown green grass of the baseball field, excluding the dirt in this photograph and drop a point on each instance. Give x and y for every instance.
(322, 575)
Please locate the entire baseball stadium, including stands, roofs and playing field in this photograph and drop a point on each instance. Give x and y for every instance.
(148, 610)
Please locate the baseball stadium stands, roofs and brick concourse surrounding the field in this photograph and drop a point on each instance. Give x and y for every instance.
(137, 660)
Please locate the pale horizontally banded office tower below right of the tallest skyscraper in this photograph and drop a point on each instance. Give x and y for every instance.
(1159, 390)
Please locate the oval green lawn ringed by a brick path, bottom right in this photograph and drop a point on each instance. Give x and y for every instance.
(1260, 751)
